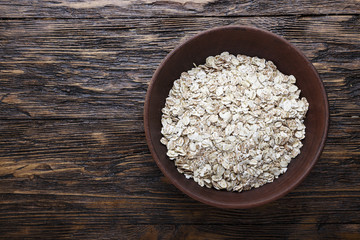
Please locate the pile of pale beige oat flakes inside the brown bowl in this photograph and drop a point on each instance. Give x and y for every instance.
(234, 123)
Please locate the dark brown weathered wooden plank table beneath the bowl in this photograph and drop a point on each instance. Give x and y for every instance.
(73, 157)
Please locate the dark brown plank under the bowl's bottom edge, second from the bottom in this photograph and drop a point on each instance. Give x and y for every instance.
(21, 210)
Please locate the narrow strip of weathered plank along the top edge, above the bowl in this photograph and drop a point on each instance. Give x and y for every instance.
(172, 8)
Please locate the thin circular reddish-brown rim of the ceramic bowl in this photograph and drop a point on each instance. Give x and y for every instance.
(239, 205)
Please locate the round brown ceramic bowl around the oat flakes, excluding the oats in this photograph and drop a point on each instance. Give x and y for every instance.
(252, 42)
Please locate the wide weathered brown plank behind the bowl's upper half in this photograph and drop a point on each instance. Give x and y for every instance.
(88, 68)
